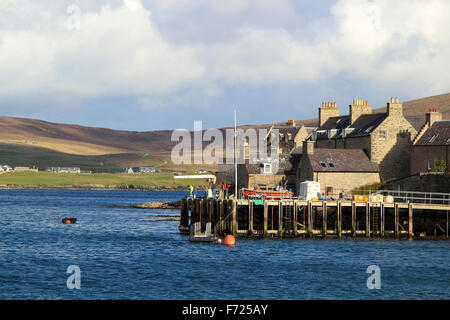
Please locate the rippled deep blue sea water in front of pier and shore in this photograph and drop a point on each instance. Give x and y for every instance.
(121, 256)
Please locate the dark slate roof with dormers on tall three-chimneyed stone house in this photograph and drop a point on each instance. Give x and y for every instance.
(363, 126)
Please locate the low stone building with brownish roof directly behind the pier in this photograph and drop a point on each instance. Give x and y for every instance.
(337, 170)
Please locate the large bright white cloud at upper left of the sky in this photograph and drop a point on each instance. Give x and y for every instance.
(116, 50)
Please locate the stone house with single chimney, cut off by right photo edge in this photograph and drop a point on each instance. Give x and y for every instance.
(431, 147)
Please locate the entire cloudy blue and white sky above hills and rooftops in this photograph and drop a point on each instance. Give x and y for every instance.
(161, 64)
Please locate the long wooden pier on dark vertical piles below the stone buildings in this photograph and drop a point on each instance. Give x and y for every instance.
(293, 218)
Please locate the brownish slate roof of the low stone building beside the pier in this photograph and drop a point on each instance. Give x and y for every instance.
(344, 160)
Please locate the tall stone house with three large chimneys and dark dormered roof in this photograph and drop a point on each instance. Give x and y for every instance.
(386, 138)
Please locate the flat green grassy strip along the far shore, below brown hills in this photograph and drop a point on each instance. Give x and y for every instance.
(84, 180)
